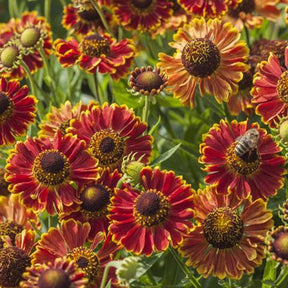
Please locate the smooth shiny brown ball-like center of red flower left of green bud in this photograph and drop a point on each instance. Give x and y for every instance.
(95, 198)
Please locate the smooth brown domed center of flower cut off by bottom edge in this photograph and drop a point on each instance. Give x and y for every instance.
(56, 278)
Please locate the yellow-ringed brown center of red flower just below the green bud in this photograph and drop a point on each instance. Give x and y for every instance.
(151, 208)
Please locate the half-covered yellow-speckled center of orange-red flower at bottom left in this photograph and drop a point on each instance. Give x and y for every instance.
(87, 260)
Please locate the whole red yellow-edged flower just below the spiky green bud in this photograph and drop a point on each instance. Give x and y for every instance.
(149, 220)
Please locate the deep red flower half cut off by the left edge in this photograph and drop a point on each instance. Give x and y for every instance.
(17, 110)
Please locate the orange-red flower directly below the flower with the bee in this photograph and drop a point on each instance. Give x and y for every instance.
(229, 238)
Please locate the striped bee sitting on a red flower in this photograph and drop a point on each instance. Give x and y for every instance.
(247, 142)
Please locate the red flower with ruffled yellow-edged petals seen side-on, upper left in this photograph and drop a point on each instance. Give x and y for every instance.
(97, 53)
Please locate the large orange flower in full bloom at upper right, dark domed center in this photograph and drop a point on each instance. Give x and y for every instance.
(209, 55)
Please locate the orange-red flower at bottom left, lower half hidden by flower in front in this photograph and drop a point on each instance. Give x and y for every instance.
(71, 241)
